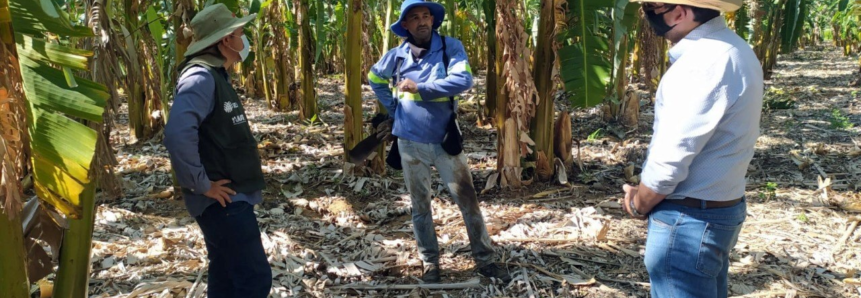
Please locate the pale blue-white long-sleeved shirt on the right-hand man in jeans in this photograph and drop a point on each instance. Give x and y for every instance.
(707, 115)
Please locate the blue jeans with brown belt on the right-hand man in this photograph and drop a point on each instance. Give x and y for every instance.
(687, 249)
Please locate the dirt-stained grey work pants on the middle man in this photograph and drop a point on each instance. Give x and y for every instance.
(417, 159)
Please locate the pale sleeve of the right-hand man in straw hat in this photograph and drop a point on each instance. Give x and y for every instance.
(694, 101)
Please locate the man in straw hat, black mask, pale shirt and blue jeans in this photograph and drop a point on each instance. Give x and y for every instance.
(707, 116)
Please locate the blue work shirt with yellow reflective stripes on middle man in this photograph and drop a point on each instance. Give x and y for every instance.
(422, 117)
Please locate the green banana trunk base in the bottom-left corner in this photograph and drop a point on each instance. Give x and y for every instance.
(13, 259)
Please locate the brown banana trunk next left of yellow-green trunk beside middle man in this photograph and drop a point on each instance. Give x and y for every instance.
(308, 108)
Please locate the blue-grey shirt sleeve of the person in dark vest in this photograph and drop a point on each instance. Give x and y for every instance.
(193, 102)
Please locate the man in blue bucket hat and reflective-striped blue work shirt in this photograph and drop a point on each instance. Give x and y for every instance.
(416, 82)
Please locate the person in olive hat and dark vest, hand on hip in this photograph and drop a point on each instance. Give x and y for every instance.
(215, 156)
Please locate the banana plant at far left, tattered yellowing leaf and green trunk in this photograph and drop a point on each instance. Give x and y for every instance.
(57, 102)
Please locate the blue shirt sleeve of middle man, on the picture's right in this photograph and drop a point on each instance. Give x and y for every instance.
(459, 78)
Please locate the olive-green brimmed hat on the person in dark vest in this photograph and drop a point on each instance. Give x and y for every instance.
(212, 24)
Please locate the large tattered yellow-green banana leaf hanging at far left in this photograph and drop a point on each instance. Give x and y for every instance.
(62, 146)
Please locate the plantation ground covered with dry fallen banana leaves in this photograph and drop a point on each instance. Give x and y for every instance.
(323, 229)
